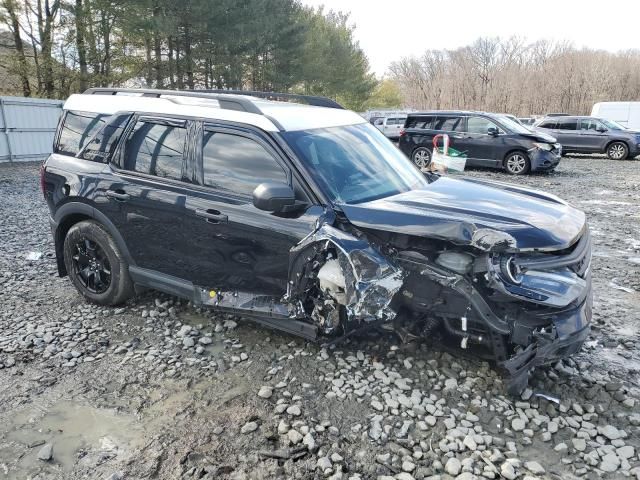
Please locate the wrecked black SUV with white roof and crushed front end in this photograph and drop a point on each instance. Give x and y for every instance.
(309, 220)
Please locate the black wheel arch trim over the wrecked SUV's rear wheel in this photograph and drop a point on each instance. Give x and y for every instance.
(78, 208)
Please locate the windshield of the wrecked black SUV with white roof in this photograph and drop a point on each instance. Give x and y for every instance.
(354, 163)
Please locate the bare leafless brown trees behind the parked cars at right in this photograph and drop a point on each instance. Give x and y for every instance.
(519, 77)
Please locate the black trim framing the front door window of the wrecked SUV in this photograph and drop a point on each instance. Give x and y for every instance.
(231, 130)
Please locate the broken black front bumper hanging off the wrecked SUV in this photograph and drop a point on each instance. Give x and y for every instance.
(570, 329)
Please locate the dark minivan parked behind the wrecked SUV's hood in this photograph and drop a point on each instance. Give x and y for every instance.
(488, 139)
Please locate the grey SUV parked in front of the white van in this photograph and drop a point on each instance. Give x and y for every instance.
(592, 135)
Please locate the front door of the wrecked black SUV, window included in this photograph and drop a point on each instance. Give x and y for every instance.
(233, 245)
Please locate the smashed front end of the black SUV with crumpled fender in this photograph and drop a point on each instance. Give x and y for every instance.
(499, 271)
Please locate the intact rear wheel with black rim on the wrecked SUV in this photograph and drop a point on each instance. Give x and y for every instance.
(95, 265)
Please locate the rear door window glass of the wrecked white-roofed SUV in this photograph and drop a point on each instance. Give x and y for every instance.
(156, 149)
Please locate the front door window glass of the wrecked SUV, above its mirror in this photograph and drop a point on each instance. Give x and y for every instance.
(237, 164)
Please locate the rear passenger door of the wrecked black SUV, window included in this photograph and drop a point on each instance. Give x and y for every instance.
(149, 189)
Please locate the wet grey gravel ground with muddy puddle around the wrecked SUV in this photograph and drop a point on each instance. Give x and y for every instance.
(159, 389)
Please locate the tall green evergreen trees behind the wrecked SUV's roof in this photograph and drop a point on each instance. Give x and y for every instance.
(61, 47)
